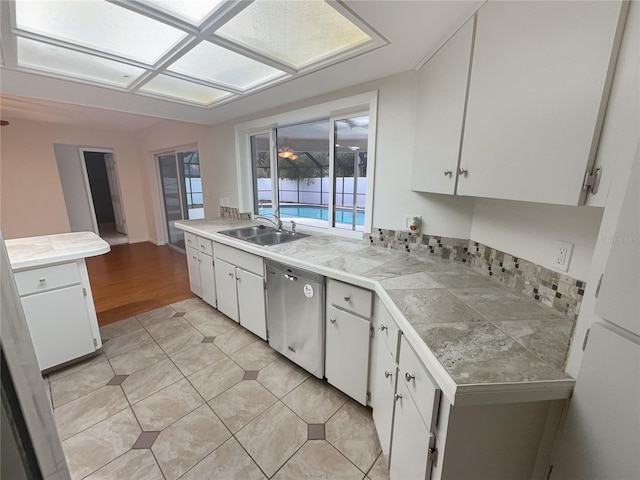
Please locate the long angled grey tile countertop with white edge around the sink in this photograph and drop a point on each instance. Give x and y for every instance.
(473, 333)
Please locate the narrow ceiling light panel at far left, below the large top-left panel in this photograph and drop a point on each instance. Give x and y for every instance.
(53, 59)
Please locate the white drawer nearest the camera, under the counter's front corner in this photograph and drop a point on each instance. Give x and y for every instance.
(422, 387)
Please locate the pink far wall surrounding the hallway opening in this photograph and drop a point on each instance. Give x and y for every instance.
(31, 198)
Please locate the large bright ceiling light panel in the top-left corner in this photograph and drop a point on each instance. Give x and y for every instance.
(99, 25)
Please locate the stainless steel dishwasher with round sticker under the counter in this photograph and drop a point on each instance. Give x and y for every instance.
(295, 315)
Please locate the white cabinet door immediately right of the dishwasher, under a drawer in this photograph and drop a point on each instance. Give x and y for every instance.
(347, 353)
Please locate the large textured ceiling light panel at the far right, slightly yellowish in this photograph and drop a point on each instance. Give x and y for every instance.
(296, 32)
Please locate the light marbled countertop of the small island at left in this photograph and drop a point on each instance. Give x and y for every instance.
(29, 252)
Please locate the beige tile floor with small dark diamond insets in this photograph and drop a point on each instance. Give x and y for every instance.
(184, 392)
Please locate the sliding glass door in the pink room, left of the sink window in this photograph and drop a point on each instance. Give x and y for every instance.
(181, 191)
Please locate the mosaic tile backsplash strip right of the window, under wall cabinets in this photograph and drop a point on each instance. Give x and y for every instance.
(556, 290)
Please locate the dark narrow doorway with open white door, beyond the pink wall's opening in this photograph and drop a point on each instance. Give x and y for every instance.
(104, 188)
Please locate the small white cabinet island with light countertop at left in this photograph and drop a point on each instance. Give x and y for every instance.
(53, 284)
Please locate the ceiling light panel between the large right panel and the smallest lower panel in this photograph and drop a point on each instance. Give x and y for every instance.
(217, 64)
